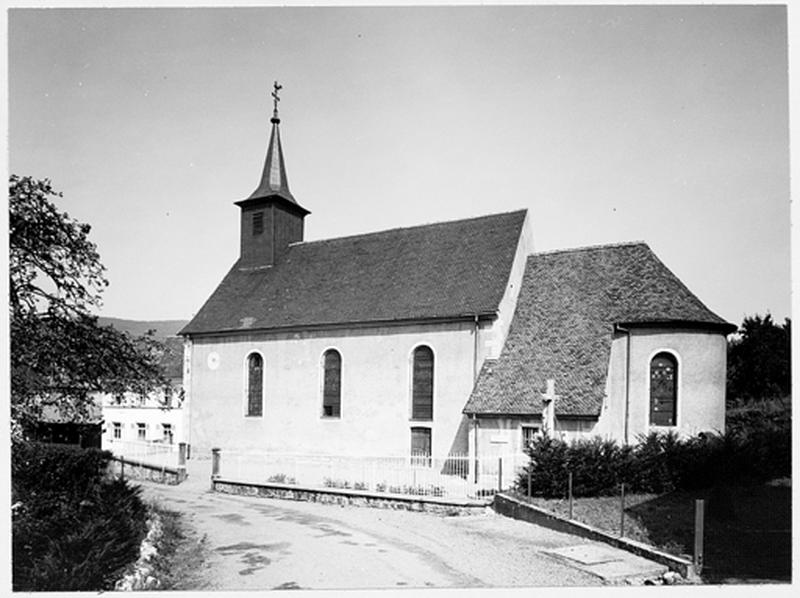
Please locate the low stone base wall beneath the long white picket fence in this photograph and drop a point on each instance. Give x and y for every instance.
(359, 498)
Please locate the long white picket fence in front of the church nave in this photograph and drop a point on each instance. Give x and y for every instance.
(455, 475)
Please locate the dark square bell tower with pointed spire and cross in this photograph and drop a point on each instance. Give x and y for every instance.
(271, 218)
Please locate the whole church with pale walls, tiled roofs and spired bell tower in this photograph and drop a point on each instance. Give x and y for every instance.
(444, 338)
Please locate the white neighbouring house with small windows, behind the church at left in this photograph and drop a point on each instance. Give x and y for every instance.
(153, 418)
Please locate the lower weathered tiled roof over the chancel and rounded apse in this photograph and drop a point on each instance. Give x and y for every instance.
(564, 323)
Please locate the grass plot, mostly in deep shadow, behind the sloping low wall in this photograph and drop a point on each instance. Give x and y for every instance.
(747, 529)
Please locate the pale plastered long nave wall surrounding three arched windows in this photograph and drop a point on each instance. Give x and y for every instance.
(375, 383)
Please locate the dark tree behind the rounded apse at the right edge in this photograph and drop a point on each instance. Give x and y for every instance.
(759, 360)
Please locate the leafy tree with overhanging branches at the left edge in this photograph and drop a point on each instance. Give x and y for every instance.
(60, 355)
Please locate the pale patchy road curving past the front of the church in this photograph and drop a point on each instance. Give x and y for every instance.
(258, 544)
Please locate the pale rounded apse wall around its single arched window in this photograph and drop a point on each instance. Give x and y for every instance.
(701, 358)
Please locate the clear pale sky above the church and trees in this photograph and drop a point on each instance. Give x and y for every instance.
(667, 124)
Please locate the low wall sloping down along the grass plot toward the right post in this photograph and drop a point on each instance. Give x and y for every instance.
(511, 507)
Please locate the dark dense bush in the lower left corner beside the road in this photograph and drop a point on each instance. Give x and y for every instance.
(73, 528)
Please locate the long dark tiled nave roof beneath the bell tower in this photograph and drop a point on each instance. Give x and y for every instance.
(435, 271)
